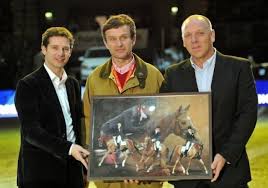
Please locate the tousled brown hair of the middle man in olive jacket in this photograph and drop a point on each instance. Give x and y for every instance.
(117, 21)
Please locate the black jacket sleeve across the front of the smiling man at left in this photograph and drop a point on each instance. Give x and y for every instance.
(32, 131)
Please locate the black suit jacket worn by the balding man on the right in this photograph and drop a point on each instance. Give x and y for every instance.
(234, 109)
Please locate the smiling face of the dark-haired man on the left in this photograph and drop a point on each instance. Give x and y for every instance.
(57, 52)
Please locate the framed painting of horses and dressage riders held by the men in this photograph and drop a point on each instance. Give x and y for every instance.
(151, 137)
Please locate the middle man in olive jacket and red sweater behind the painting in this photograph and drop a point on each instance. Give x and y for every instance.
(123, 74)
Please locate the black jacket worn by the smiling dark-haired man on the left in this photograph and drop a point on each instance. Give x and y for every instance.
(44, 147)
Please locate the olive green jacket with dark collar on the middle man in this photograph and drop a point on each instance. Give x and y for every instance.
(146, 79)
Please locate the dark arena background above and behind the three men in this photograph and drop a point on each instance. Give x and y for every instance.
(241, 27)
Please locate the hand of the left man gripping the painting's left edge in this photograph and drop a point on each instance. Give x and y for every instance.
(80, 154)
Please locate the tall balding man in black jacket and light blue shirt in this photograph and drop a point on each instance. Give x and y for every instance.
(234, 101)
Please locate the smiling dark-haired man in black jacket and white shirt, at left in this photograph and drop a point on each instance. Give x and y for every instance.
(48, 103)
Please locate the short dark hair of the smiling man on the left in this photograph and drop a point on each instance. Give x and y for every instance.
(57, 31)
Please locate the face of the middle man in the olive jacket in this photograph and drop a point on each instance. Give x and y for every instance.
(119, 42)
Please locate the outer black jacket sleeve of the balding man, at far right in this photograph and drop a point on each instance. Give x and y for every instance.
(245, 116)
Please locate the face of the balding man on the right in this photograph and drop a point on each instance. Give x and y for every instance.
(198, 39)
